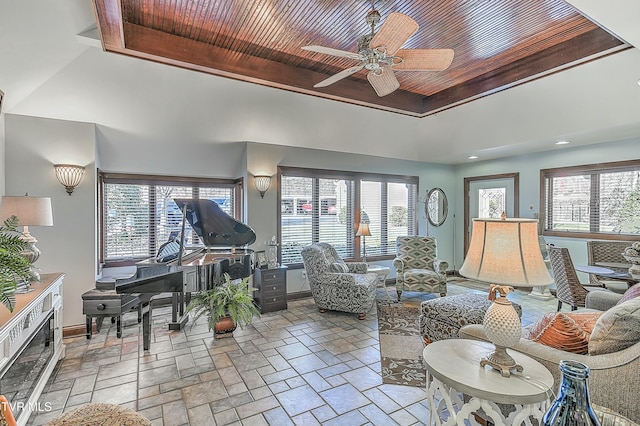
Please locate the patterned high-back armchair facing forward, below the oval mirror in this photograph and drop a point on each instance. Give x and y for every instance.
(417, 268)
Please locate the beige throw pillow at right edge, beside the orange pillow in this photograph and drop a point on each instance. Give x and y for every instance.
(617, 329)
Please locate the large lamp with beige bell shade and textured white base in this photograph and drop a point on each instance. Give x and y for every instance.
(505, 253)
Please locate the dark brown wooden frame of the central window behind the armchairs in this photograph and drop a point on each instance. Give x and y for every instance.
(357, 177)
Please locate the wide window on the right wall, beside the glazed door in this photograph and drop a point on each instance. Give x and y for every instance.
(595, 201)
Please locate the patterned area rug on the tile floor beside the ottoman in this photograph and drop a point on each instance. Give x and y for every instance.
(400, 341)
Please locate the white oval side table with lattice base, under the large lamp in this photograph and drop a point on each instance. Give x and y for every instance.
(453, 369)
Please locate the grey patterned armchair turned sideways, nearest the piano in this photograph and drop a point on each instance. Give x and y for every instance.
(337, 285)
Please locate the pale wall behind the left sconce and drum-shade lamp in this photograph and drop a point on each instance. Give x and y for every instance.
(33, 145)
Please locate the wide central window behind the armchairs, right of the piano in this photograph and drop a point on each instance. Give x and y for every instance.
(317, 205)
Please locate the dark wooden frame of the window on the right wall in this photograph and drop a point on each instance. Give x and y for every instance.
(614, 166)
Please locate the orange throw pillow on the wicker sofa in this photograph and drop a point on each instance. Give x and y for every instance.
(564, 331)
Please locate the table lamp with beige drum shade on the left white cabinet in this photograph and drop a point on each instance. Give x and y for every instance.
(30, 211)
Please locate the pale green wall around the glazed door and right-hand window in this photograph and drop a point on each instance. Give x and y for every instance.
(529, 167)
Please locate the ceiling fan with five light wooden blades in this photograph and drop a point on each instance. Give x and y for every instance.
(380, 53)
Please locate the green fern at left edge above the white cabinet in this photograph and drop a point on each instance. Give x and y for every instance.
(13, 266)
